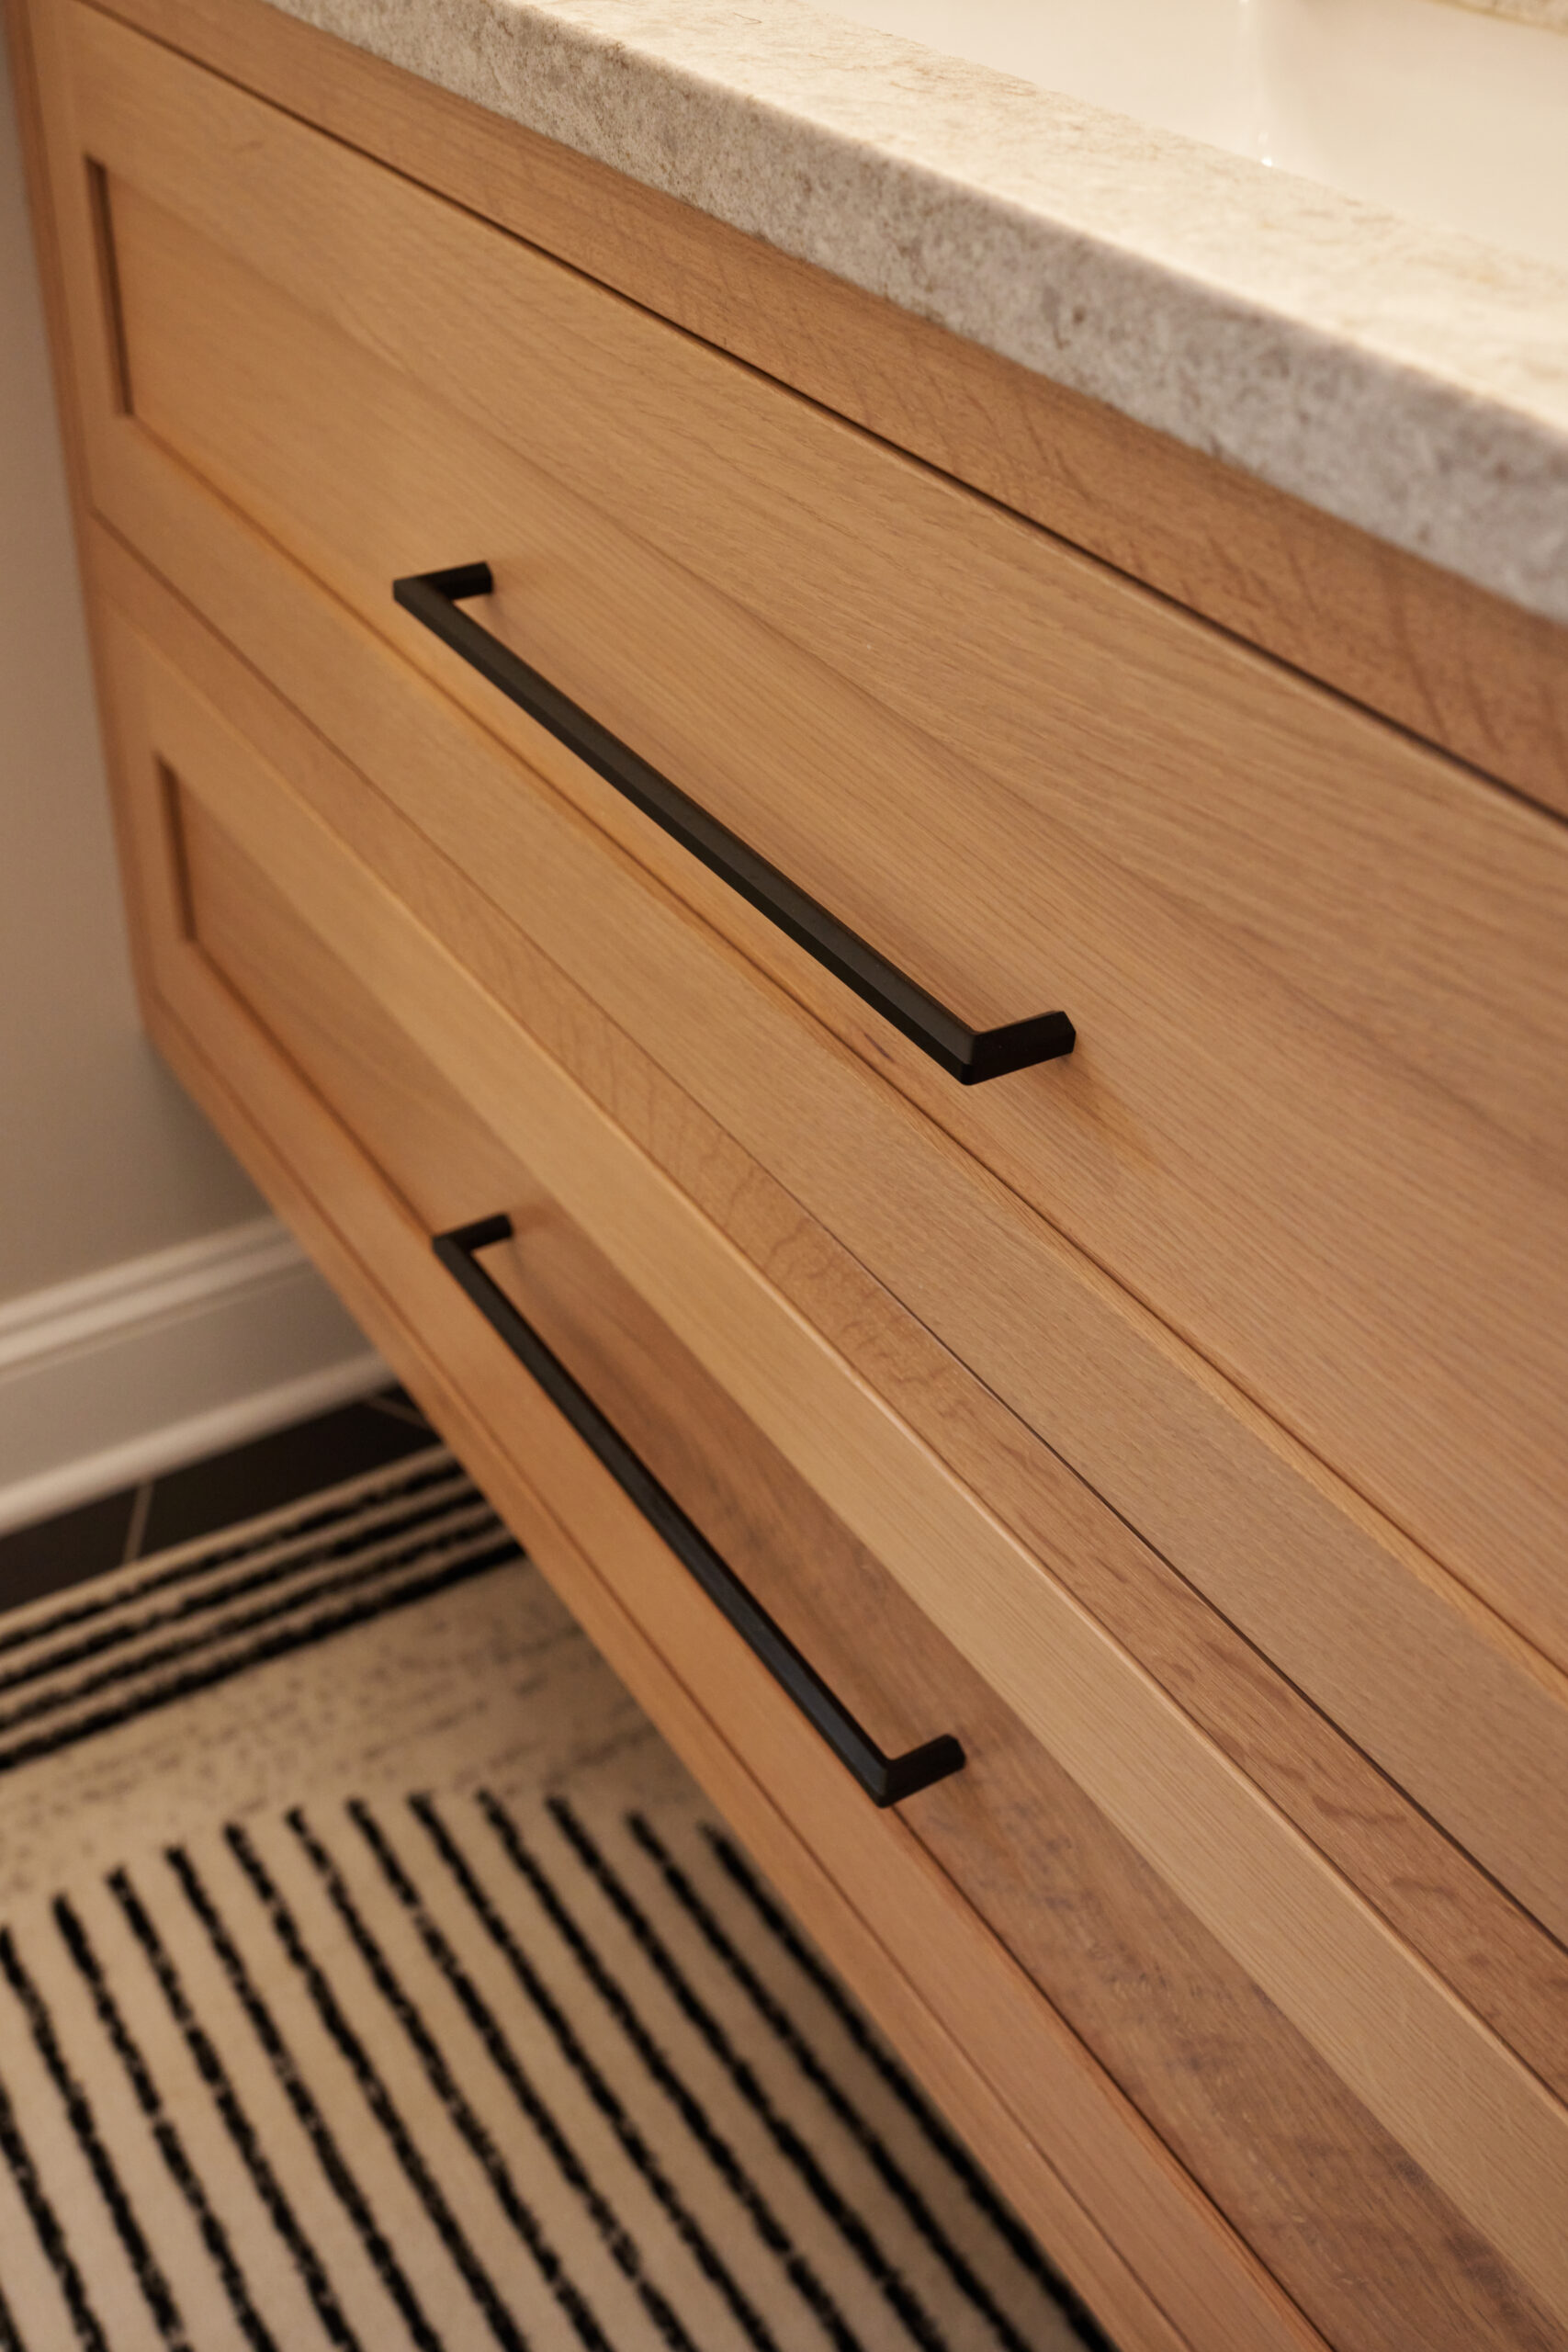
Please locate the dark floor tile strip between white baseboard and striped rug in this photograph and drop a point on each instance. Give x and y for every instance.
(203, 1497)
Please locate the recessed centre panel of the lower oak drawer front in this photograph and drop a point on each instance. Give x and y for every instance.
(1327, 2198)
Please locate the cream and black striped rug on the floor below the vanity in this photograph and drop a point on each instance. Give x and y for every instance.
(485, 2033)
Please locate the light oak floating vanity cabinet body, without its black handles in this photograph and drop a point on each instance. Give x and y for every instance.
(1174, 1424)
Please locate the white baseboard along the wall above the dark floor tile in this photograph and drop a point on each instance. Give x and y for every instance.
(154, 1363)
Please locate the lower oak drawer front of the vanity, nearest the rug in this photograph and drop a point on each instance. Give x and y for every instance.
(1094, 1862)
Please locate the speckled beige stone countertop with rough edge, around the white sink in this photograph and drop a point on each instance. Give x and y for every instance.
(1407, 380)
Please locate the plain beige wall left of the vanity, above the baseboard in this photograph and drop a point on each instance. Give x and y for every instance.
(102, 1158)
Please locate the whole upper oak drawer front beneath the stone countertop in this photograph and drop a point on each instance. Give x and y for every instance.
(1348, 1187)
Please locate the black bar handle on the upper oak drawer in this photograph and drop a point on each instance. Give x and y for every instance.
(967, 1055)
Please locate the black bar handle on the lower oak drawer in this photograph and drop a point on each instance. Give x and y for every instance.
(885, 1779)
